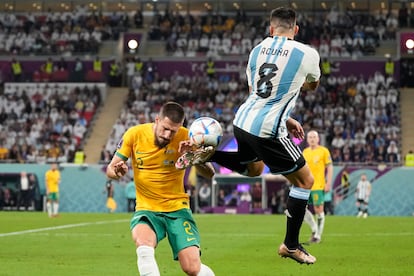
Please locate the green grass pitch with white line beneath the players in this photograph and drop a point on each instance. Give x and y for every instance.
(100, 244)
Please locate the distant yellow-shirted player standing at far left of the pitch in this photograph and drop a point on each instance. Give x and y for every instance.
(52, 178)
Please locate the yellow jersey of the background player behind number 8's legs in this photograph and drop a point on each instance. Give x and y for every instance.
(317, 160)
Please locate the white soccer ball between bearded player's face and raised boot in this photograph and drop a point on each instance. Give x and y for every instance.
(205, 131)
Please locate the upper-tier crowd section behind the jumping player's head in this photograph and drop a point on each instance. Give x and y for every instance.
(334, 33)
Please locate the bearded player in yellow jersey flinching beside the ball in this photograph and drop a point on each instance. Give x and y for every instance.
(162, 205)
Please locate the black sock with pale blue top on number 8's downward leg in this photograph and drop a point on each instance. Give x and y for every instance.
(296, 207)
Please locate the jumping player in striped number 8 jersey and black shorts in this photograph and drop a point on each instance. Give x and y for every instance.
(278, 68)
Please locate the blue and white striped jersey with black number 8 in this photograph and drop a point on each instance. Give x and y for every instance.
(276, 70)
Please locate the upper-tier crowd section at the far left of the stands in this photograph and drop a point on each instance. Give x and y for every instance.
(45, 33)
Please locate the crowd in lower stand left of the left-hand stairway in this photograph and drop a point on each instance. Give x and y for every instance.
(45, 123)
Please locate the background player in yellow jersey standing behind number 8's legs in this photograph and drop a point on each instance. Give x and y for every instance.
(320, 163)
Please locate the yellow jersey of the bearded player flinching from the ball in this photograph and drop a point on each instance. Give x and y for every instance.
(159, 186)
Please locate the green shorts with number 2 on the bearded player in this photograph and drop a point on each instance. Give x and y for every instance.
(178, 225)
